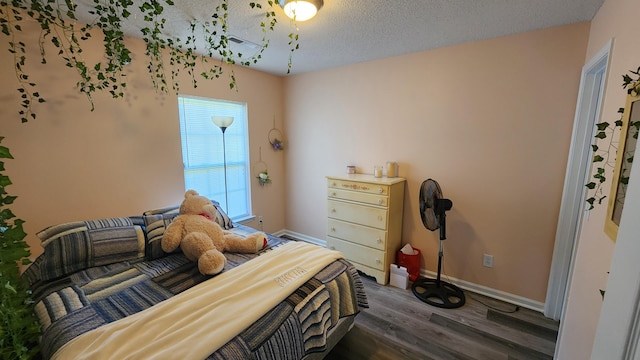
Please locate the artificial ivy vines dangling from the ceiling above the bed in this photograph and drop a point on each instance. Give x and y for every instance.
(60, 26)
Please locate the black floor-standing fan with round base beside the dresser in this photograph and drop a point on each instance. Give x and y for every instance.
(432, 211)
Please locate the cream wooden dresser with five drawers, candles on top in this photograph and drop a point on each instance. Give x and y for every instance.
(365, 221)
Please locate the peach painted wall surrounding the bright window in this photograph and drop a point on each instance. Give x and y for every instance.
(124, 157)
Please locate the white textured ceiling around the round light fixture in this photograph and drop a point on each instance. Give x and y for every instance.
(351, 31)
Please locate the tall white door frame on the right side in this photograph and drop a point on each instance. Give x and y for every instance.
(592, 85)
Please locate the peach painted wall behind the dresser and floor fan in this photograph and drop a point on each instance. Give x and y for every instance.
(490, 121)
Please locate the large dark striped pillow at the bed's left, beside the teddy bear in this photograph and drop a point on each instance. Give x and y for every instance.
(79, 245)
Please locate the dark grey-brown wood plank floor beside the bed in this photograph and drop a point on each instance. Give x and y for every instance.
(398, 325)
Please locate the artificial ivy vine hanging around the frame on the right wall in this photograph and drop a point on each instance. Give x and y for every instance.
(605, 157)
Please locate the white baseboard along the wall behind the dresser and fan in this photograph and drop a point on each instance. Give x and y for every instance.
(478, 289)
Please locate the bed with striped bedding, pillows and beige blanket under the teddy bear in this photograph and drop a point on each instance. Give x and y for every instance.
(104, 289)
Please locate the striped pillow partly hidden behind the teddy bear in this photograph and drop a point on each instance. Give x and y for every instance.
(157, 220)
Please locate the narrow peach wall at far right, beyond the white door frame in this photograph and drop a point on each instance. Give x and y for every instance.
(616, 19)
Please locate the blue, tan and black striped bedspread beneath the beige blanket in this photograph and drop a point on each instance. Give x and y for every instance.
(70, 306)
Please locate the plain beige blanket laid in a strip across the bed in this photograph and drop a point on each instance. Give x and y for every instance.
(196, 322)
